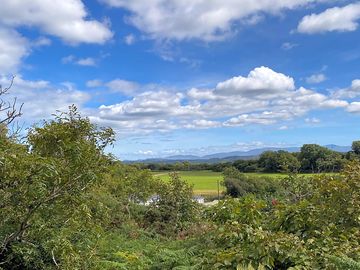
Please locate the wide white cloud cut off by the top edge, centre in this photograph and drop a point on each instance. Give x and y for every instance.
(207, 20)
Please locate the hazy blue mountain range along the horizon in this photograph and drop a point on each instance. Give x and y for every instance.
(231, 156)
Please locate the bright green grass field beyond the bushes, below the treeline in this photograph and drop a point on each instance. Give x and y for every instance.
(206, 182)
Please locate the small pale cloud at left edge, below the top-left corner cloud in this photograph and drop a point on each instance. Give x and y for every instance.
(13, 48)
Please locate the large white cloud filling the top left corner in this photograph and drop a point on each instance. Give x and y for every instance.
(66, 19)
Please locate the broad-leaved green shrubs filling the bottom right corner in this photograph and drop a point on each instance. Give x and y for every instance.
(305, 230)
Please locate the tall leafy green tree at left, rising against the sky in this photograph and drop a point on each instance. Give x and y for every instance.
(44, 214)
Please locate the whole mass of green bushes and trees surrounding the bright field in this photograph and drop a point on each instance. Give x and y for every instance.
(66, 204)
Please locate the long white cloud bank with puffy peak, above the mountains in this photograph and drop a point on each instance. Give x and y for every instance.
(264, 97)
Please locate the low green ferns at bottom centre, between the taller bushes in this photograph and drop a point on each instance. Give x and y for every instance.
(141, 251)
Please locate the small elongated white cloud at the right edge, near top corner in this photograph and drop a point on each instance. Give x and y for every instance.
(341, 19)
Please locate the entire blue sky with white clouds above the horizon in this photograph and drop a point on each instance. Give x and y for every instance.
(180, 77)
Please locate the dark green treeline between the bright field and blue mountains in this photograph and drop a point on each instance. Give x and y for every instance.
(312, 158)
